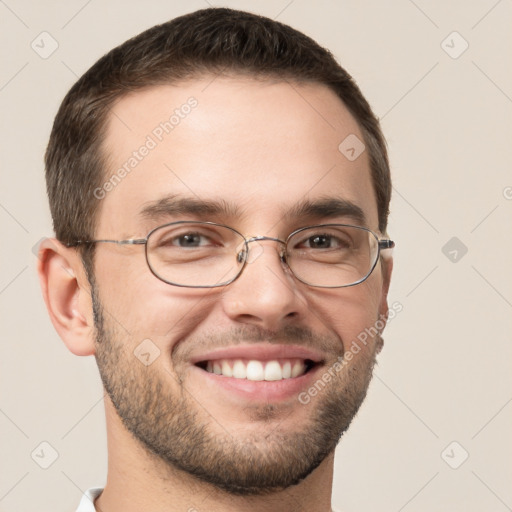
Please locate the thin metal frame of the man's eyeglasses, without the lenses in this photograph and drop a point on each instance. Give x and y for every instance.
(382, 244)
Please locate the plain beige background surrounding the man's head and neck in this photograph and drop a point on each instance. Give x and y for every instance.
(444, 374)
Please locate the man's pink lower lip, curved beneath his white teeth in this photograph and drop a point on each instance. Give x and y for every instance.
(262, 390)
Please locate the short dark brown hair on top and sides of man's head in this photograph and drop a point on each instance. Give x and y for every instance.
(216, 40)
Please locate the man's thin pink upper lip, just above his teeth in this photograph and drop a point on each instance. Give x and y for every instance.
(260, 352)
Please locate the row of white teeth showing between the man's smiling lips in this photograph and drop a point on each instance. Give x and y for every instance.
(257, 370)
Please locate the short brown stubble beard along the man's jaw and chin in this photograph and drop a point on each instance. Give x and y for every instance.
(173, 428)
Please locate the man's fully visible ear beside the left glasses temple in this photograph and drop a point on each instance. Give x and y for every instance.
(66, 292)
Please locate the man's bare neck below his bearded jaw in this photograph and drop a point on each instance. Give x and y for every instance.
(138, 481)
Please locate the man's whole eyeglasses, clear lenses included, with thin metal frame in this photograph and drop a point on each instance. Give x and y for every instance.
(207, 255)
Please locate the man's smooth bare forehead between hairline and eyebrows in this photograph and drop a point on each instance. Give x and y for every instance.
(262, 149)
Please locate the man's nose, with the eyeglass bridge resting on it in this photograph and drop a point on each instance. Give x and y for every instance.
(266, 293)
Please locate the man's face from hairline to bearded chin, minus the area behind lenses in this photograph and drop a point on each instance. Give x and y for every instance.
(259, 151)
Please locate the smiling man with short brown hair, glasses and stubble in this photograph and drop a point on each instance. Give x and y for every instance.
(219, 189)
